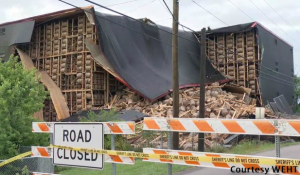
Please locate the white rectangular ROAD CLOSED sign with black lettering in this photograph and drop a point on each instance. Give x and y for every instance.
(80, 135)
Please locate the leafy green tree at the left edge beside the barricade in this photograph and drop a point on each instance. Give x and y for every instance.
(21, 95)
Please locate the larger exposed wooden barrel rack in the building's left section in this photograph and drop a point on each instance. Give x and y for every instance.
(58, 47)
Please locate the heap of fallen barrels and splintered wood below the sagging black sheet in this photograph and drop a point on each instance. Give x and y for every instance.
(218, 104)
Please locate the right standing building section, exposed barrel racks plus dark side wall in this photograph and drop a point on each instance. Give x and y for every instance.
(254, 57)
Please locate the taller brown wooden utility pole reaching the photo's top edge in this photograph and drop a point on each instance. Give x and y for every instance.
(175, 70)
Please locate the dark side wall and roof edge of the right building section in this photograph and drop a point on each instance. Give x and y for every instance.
(276, 68)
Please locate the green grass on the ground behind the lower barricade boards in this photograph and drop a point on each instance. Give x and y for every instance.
(148, 168)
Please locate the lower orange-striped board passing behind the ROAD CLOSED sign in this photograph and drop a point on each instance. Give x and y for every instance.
(46, 152)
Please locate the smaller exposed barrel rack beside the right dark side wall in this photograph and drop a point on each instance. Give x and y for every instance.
(236, 55)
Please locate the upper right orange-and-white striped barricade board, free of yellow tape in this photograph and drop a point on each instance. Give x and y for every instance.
(276, 127)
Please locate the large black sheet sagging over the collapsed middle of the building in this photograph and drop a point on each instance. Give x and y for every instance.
(145, 63)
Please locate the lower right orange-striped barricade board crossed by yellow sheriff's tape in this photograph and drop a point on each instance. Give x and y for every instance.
(226, 161)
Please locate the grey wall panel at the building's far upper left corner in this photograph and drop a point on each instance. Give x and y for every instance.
(14, 34)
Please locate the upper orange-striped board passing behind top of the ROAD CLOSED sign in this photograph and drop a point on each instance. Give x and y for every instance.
(109, 127)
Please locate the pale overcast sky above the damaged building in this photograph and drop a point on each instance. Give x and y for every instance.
(190, 14)
